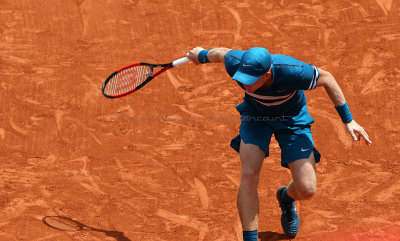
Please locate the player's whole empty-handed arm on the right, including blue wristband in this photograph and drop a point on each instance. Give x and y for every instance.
(334, 92)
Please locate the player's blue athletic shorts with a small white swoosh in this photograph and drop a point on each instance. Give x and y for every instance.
(295, 141)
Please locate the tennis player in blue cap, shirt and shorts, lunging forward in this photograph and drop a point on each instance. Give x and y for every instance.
(274, 103)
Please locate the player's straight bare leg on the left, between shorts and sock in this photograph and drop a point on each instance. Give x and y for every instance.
(251, 157)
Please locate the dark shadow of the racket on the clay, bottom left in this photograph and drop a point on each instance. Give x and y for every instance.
(69, 225)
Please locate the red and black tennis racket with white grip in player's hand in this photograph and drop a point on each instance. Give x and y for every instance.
(133, 77)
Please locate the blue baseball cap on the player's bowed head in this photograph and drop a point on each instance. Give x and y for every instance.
(255, 62)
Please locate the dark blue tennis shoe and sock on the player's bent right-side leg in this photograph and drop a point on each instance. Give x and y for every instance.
(290, 220)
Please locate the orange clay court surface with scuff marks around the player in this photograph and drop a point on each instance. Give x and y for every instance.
(156, 165)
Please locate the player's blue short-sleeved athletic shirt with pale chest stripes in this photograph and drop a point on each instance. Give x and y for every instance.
(285, 98)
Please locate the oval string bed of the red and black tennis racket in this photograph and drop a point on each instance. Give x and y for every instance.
(127, 80)
